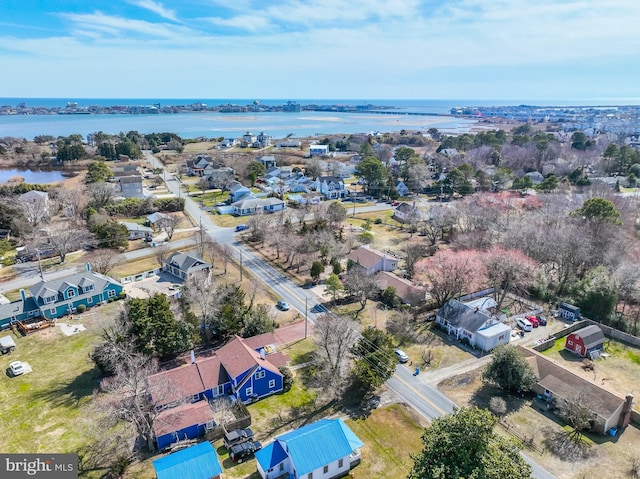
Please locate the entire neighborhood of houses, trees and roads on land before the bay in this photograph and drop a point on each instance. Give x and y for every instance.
(324, 307)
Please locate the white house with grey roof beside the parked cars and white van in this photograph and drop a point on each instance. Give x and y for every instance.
(474, 322)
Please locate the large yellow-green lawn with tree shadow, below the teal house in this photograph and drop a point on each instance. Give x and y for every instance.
(47, 410)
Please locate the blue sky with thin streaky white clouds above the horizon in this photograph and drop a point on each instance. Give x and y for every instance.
(295, 49)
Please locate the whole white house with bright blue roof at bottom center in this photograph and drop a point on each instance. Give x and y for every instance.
(322, 450)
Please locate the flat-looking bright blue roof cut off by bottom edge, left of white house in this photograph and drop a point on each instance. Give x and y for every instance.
(195, 462)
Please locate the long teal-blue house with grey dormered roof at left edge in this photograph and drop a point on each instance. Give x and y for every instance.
(55, 298)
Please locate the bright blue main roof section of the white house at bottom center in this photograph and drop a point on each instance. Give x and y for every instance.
(318, 444)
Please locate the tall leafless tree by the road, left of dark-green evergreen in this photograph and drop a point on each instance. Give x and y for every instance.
(334, 335)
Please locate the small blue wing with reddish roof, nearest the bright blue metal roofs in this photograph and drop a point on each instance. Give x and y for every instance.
(187, 421)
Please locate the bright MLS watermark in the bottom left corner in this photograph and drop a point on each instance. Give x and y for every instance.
(50, 466)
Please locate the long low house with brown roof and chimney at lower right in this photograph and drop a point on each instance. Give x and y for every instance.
(557, 384)
